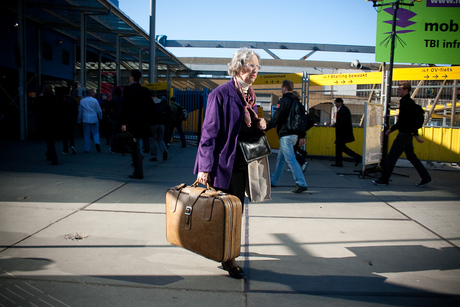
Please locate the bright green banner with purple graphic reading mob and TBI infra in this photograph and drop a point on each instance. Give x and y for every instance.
(427, 32)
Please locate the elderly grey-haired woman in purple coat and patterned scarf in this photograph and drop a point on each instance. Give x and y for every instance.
(231, 113)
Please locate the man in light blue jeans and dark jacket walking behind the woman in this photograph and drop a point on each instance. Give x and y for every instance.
(289, 135)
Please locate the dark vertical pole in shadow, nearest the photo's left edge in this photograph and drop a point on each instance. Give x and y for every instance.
(22, 70)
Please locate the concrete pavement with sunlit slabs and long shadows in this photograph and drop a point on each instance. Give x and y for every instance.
(83, 234)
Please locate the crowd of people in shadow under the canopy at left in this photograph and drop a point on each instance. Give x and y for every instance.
(63, 112)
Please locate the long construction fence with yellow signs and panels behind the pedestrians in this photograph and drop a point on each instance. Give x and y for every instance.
(436, 90)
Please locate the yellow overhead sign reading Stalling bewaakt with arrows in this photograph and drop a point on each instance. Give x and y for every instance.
(346, 79)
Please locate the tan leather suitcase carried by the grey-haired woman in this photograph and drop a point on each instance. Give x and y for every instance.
(204, 221)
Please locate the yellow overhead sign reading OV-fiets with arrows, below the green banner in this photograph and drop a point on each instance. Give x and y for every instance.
(427, 73)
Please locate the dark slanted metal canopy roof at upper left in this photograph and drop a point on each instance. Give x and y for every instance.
(104, 24)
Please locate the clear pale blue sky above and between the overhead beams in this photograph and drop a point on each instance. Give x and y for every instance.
(350, 22)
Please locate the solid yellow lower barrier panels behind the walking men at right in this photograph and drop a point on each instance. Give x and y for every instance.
(441, 144)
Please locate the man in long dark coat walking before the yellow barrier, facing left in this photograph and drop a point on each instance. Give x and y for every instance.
(343, 134)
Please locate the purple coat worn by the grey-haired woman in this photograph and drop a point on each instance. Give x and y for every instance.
(221, 126)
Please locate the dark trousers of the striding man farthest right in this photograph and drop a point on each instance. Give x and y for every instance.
(403, 143)
